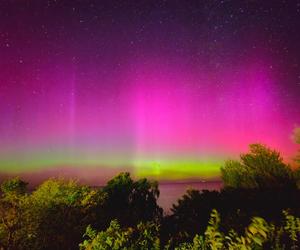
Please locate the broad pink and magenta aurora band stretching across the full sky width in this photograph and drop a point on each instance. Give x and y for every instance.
(154, 111)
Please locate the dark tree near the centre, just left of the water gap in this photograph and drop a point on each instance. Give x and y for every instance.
(130, 201)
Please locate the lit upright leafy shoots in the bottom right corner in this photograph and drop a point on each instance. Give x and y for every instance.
(258, 235)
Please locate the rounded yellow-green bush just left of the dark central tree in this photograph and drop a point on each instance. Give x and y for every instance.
(59, 212)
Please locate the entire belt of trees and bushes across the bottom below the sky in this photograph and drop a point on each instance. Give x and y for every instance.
(124, 214)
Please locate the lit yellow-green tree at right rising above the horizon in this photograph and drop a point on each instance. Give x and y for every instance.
(262, 167)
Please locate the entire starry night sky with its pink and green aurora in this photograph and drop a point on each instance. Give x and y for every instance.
(165, 89)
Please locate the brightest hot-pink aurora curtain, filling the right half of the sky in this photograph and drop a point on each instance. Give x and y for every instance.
(220, 115)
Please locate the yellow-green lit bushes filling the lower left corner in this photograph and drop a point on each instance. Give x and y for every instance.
(54, 216)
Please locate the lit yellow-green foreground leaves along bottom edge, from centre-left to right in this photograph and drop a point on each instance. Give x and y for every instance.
(257, 235)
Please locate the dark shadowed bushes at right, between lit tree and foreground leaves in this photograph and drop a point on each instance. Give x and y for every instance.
(237, 207)
